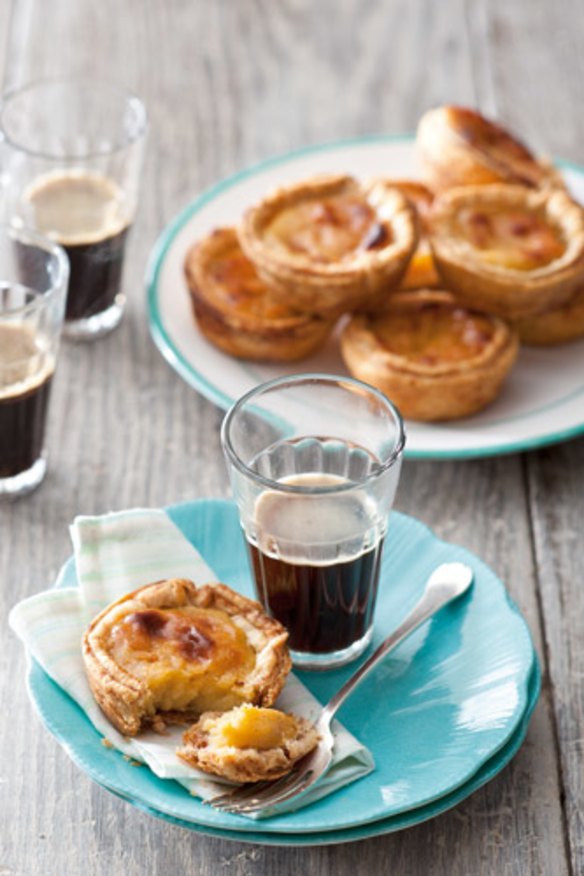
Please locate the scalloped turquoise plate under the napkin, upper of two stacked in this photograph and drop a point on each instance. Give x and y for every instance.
(452, 697)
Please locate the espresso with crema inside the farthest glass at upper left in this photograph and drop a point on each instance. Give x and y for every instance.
(85, 214)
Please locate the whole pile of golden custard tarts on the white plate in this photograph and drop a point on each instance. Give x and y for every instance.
(430, 286)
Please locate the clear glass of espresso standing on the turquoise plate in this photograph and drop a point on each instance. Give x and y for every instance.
(314, 462)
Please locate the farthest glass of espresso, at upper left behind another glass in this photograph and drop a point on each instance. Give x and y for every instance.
(73, 152)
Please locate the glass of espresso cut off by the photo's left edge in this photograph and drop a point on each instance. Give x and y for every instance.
(33, 288)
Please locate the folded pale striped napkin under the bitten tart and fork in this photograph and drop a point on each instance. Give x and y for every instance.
(117, 553)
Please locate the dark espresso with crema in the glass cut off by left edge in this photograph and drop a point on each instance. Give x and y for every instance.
(26, 372)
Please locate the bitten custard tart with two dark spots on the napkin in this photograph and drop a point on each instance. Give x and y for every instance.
(169, 651)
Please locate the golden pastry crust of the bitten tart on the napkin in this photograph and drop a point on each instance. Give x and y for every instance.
(125, 695)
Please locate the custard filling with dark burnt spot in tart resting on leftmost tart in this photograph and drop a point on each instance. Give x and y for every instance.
(328, 230)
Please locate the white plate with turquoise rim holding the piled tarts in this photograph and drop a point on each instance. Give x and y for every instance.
(541, 403)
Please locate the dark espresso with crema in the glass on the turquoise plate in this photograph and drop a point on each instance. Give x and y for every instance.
(316, 564)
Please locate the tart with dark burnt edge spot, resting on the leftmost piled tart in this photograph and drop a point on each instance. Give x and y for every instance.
(330, 243)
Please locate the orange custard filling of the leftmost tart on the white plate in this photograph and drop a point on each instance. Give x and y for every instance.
(238, 287)
